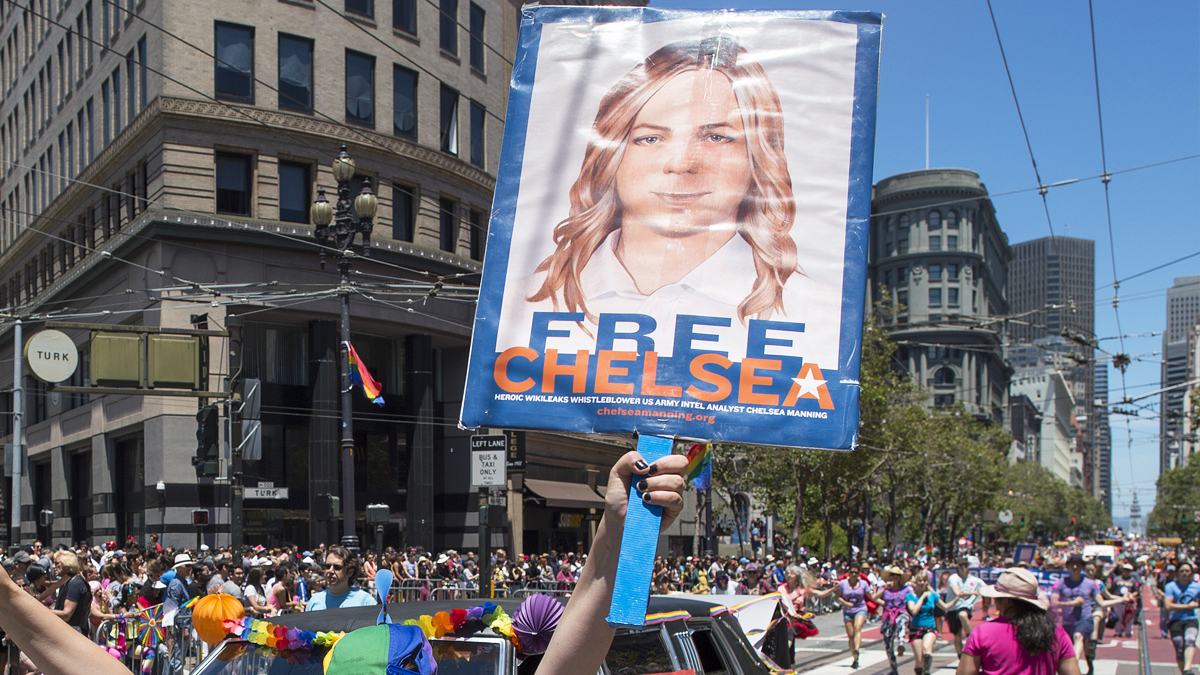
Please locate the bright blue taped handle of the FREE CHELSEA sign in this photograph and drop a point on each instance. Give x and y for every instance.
(635, 569)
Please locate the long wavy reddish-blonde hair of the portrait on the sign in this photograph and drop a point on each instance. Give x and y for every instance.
(765, 218)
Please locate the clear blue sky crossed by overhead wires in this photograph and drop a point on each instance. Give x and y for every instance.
(1150, 88)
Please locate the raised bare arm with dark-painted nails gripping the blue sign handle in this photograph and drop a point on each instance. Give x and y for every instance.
(584, 637)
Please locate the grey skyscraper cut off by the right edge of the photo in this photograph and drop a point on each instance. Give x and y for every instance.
(1183, 313)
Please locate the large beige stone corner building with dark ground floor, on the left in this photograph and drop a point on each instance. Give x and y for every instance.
(159, 163)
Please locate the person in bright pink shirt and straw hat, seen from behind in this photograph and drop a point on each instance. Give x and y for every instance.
(1023, 641)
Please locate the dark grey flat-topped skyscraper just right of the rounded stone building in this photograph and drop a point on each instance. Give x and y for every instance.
(1051, 291)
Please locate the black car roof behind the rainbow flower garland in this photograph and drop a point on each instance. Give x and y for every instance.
(353, 618)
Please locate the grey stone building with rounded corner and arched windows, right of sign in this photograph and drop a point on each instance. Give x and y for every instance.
(939, 253)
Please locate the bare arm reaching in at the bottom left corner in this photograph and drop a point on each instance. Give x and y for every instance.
(55, 647)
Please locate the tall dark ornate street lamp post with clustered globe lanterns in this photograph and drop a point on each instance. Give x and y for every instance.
(340, 236)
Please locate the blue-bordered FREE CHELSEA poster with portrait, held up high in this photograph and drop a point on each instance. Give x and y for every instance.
(679, 240)
